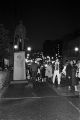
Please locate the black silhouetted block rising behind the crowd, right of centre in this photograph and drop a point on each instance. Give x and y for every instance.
(53, 47)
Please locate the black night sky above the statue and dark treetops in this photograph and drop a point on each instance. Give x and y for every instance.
(43, 21)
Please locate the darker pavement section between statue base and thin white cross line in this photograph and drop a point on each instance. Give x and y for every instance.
(23, 90)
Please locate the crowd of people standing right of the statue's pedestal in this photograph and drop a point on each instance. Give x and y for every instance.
(68, 75)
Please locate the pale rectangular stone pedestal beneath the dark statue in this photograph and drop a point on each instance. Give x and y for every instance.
(19, 66)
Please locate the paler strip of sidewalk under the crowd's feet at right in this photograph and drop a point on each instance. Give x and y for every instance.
(64, 91)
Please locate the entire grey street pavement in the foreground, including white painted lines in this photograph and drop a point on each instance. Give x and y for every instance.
(23, 102)
